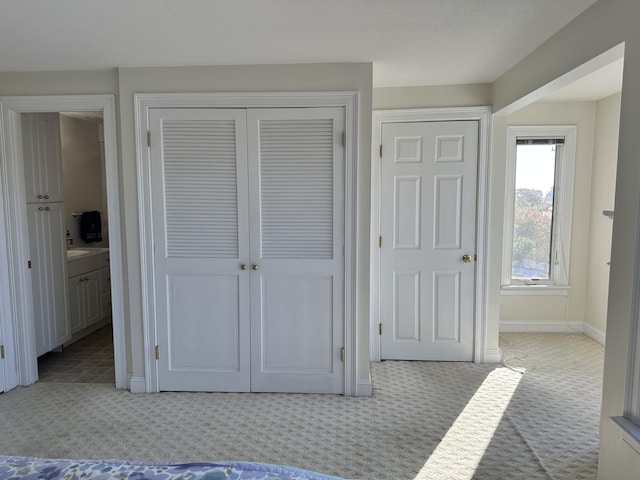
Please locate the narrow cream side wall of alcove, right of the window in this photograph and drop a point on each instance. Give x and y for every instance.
(603, 187)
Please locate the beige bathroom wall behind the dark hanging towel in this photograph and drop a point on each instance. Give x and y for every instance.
(82, 175)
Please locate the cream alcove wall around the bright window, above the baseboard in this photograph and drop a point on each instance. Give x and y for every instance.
(541, 313)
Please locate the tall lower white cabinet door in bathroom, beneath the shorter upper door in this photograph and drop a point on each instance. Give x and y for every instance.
(48, 260)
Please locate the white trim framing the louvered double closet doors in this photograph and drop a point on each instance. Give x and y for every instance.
(145, 101)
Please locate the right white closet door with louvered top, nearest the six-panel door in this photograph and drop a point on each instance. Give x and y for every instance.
(296, 175)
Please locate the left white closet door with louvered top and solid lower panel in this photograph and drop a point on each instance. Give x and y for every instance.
(200, 215)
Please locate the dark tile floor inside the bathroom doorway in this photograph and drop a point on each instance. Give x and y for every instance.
(89, 360)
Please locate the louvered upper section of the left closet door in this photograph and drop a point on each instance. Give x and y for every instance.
(201, 194)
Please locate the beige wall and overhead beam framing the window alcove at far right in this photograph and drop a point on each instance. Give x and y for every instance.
(604, 25)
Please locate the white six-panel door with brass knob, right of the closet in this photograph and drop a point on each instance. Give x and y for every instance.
(428, 215)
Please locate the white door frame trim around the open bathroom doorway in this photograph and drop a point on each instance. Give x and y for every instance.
(17, 299)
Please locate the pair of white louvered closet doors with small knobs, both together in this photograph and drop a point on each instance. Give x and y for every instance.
(248, 215)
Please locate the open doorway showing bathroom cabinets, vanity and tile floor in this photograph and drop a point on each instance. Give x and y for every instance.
(63, 158)
